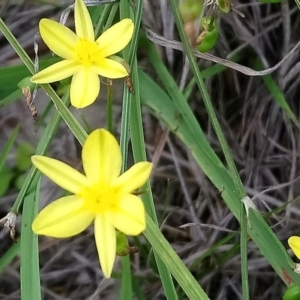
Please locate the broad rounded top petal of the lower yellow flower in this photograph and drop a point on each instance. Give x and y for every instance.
(101, 157)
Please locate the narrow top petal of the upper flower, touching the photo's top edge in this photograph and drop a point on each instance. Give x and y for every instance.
(83, 22)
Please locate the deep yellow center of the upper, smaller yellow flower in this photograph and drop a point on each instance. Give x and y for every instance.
(87, 52)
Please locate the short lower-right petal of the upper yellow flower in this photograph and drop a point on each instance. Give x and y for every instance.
(110, 69)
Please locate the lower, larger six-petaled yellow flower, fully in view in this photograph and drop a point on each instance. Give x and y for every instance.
(101, 196)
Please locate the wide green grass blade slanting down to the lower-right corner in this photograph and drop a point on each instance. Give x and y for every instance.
(265, 239)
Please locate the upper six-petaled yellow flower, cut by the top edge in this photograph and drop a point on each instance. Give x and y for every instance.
(84, 58)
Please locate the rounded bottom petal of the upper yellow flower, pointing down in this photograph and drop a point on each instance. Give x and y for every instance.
(85, 87)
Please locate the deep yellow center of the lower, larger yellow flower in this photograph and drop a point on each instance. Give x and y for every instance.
(99, 198)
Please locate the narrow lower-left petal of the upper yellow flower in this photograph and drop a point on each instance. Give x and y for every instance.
(56, 72)
